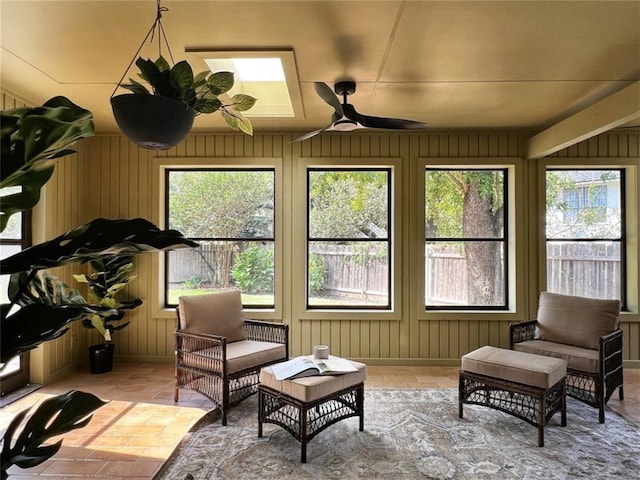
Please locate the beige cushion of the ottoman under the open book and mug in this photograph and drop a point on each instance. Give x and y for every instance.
(308, 389)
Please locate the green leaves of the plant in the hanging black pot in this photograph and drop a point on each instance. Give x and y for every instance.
(201, 92)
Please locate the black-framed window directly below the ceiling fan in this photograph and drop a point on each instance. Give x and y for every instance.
(349, 238)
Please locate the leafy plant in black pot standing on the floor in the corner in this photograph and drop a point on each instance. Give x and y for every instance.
(110, 275)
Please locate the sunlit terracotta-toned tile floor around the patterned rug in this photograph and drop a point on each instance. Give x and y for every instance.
(132, 436)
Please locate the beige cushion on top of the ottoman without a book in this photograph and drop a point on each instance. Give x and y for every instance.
(525, 368)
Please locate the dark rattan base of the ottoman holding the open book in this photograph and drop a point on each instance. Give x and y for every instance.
(304, 420)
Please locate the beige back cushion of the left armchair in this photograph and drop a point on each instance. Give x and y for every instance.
(217, 313)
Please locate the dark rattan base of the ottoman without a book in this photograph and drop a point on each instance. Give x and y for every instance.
(532, 404)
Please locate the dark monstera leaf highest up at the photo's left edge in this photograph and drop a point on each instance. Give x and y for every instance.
(32, 138)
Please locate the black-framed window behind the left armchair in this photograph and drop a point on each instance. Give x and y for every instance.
(230, 213)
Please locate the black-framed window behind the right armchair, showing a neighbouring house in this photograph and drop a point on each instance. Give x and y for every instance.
(585, 232)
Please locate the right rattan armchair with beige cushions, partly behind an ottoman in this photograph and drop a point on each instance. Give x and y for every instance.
(586, 333)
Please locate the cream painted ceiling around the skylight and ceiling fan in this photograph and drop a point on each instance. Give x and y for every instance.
(452, 64)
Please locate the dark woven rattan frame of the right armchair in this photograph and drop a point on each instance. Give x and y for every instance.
(593, 388)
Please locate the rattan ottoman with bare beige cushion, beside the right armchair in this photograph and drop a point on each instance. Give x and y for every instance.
(530, 387)
